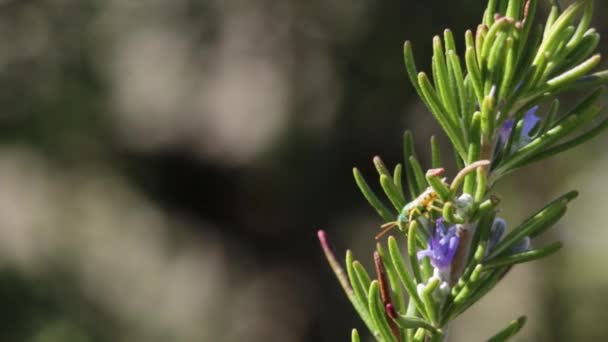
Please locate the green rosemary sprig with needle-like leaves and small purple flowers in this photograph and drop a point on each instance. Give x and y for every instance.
(499, 108)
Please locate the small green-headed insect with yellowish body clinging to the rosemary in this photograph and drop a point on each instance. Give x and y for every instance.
(424, 203)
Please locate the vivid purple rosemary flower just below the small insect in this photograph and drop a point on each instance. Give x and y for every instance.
(442, 246)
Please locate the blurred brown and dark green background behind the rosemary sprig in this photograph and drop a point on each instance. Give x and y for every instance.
(164, 167)
